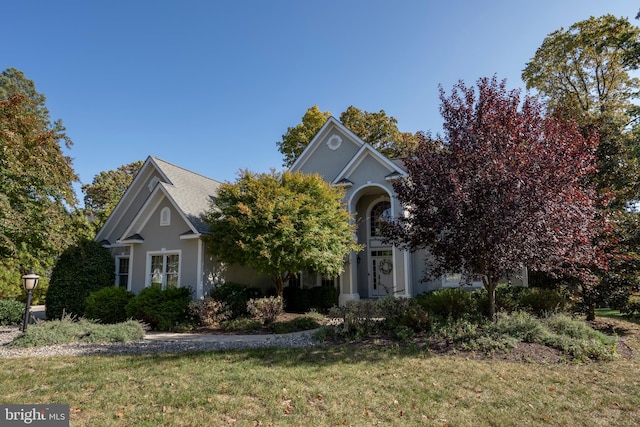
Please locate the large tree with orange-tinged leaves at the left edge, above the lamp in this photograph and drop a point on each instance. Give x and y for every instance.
(37, 178)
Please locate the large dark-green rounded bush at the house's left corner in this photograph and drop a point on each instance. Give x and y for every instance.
(80, 270)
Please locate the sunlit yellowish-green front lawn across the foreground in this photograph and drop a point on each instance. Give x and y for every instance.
(348, 385)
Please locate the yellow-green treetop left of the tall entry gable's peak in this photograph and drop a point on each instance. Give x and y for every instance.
(297, 138)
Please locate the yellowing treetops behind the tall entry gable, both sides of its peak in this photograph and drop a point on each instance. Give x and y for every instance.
(378, 129)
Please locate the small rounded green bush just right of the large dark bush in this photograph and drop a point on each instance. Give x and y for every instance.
(108, 305)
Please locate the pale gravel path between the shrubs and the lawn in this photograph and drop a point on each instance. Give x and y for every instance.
(155, 343)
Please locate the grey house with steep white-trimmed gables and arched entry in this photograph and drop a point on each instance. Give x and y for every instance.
(155, 232)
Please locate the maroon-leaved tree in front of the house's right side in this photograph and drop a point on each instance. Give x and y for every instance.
(504, 189)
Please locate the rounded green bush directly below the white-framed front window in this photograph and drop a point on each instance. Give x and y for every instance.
(160, 309)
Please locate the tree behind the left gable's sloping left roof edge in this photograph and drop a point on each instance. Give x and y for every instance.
(105, 191)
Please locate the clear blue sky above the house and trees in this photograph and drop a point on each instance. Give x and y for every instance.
(213, 85)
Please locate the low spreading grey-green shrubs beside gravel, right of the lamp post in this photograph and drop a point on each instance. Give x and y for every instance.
(69, 330)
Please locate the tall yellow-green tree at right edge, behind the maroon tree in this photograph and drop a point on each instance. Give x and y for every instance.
(584, 74)
